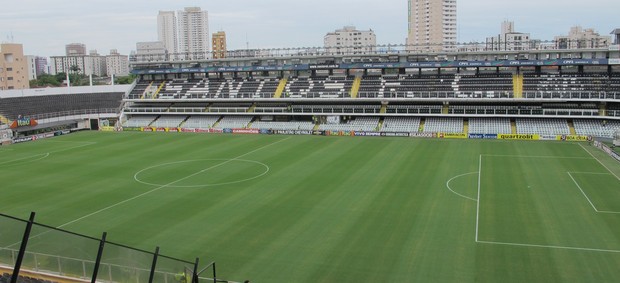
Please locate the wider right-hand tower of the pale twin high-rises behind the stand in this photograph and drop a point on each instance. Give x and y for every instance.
(193, 33)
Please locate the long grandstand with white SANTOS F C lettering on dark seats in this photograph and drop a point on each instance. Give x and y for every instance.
(544, 94)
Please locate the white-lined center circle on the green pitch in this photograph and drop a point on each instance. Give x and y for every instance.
(201, 173)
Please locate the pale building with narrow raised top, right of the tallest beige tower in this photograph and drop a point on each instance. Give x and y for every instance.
(509, 39)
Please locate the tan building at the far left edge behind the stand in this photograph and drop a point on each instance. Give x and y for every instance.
(13, 67)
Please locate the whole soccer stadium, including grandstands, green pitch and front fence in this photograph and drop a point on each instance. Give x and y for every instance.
(299, 165)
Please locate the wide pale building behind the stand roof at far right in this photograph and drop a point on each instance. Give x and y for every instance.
(579, 38)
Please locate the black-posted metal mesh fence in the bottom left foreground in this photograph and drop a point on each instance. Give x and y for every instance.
(52, 252)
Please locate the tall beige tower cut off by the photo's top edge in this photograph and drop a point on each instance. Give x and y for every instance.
(432, 26)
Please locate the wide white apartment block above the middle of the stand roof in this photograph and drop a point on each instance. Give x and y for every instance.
(349, 40)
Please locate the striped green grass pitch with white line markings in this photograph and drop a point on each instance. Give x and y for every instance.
(330, 209)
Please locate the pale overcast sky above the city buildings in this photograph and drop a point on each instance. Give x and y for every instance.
(44, 27)
